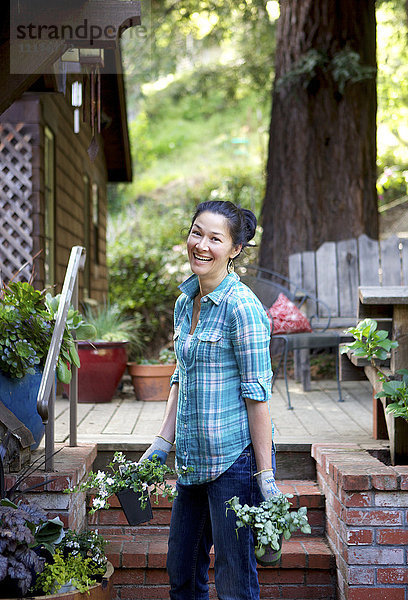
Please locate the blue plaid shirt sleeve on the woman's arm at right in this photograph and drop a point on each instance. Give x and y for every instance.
(250, 334)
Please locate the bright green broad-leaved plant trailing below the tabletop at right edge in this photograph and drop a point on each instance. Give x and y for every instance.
(372, 344)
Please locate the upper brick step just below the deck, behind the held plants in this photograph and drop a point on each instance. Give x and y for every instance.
(305, 493)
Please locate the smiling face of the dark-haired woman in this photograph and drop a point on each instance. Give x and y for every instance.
(210, 246)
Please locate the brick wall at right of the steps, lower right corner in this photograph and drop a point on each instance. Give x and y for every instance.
(367, 521)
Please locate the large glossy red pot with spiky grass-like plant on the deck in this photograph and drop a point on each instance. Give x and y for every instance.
(103, 360)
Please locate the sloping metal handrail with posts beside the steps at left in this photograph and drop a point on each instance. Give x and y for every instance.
(46, 393)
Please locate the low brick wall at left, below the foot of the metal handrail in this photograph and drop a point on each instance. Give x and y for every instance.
(71, 465)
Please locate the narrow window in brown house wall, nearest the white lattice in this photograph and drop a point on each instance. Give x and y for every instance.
(49, 202)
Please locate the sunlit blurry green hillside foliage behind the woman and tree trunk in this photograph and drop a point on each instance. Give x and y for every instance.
(199, 115)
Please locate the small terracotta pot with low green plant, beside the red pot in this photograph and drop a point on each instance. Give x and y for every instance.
(151, 378)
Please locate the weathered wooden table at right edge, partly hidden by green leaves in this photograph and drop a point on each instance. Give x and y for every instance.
(388, 305)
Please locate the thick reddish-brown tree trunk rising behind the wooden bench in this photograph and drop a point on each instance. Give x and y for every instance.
(321, 170)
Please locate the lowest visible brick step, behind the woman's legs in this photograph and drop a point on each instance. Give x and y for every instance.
(306, 570)
